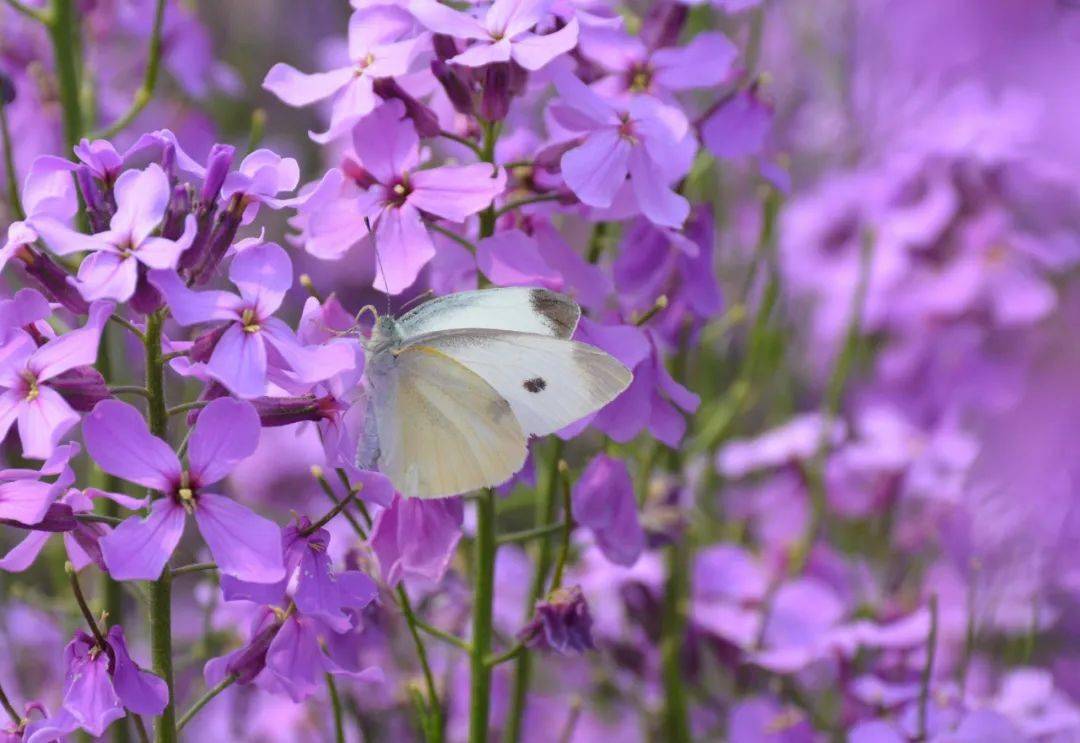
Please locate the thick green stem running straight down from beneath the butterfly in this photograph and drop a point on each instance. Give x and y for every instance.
(480, 699)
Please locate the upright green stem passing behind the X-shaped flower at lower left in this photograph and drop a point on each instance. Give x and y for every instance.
(161, 599)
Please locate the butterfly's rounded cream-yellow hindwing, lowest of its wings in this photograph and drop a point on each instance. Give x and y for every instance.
(442, 429)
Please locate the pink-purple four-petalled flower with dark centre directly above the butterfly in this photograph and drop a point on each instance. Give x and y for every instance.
(397, 195)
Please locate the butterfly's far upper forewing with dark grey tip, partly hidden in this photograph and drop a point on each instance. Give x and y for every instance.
(514, 308)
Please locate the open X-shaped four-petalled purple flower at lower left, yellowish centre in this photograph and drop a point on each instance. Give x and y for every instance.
(245, 546)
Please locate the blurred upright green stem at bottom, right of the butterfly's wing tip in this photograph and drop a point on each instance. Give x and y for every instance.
(677, 723)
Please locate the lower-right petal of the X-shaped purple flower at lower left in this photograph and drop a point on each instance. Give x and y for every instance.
(245, 545)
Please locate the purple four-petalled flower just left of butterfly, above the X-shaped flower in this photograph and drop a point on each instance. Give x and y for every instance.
(254, 346)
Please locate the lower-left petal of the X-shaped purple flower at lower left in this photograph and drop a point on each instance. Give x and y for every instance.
(140, 548)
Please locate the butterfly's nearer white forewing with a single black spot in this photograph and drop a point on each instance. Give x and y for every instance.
(549, 383)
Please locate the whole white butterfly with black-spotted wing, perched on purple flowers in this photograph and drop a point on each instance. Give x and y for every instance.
(458, 385)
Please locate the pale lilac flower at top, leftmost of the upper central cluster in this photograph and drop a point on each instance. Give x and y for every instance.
(382, 45)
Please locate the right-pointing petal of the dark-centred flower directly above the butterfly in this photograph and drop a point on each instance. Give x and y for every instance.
(458, 193)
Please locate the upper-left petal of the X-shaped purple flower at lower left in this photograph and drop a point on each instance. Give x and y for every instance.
(119, 441)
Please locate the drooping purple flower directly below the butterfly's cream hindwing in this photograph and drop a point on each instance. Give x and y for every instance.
(416, 539)
